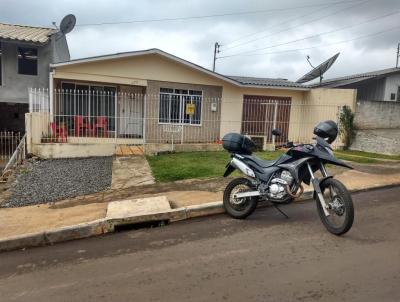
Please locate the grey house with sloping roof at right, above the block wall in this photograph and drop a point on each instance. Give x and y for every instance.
(379, 85)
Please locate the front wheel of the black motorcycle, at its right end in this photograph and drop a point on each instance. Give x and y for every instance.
(340, 207)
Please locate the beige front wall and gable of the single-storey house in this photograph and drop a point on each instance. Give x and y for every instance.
(154, 71)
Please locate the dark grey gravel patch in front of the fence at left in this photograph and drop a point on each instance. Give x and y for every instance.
(42, 181)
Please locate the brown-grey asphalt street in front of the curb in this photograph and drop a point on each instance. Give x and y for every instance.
(216, 258)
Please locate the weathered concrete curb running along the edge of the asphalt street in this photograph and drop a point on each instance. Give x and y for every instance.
(103, 226)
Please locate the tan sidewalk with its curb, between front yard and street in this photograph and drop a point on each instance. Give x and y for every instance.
(51, 223)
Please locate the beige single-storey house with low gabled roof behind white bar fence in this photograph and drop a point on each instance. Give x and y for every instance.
(153, 97)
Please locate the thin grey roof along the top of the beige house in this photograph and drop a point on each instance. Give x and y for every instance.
(235, 80)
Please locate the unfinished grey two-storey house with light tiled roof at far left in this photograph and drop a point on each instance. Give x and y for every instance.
(26, 53)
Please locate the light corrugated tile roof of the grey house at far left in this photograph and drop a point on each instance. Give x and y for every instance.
(25, 33)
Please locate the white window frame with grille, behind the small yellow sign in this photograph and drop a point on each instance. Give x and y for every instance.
(181, 109)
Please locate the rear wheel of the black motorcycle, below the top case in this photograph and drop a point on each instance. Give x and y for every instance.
(239, 208)
